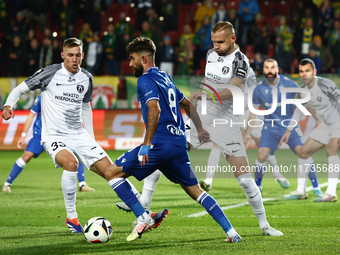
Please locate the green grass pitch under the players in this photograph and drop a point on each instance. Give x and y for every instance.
(32, 217)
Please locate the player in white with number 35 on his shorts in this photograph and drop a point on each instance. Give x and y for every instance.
(66, 92)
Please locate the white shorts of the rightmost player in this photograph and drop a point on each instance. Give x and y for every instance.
(323, 133)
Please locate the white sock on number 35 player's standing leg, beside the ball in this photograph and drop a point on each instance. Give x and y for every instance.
(69, 187)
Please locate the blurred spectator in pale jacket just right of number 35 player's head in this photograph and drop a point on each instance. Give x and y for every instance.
(94, 55)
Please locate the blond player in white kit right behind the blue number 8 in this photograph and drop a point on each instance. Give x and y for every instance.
(227, 66)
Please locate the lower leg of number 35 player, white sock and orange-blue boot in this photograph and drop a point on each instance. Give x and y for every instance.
(69, 188)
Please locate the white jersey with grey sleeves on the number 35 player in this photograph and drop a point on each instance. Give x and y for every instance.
(62, 96)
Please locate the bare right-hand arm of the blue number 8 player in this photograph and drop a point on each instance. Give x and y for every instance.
(190, 110)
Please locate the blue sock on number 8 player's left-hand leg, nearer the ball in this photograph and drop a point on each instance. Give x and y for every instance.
(125, 193)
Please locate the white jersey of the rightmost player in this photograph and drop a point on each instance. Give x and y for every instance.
(324, 99)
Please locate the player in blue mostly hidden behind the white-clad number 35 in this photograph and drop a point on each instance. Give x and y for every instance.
(34, 149)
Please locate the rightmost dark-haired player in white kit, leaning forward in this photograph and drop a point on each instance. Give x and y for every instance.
(325, 99)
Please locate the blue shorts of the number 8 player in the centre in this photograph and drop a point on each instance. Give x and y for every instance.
(171, 160)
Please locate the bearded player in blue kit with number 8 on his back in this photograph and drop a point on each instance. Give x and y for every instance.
(165, 143)
